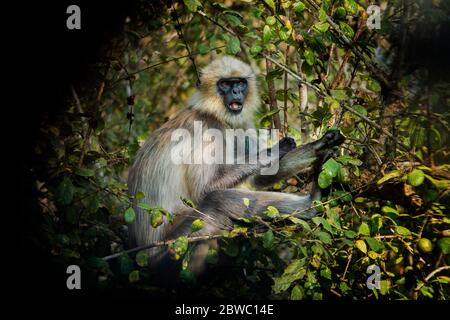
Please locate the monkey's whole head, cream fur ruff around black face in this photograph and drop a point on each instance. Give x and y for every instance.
(228, 90)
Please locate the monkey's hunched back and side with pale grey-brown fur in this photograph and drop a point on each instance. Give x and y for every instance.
(162, 181)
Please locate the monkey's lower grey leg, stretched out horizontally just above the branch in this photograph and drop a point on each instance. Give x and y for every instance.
(219, 210)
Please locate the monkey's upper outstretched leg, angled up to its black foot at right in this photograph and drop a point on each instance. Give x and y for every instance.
(302, 159)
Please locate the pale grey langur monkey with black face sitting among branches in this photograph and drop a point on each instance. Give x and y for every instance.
(227, 98)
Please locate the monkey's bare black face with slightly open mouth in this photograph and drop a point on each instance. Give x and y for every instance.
(233, 91)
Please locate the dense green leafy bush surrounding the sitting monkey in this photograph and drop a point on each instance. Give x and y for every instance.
(319, 67)
